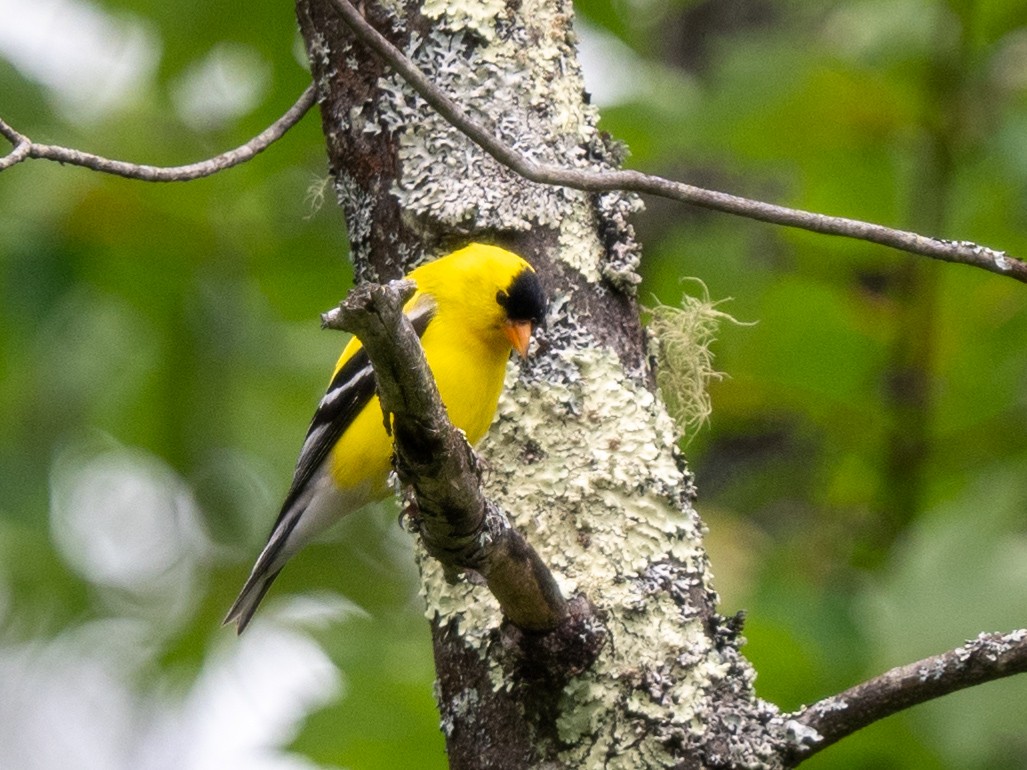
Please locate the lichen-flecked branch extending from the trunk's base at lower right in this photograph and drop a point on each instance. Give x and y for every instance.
(986, 659)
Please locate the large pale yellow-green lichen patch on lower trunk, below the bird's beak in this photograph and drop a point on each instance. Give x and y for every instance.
(613, 486)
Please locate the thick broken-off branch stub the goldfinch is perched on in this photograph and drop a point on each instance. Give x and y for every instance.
(459, 526)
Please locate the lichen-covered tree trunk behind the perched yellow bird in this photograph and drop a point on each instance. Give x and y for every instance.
(583, 454)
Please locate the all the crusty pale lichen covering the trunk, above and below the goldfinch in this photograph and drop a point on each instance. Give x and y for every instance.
(602, 494)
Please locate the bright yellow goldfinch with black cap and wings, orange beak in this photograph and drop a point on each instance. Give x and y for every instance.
(471, 309)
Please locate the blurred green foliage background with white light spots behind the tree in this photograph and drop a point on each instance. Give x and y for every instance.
(863, 475)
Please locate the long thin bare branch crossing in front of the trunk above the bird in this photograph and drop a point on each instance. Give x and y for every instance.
(963, 252)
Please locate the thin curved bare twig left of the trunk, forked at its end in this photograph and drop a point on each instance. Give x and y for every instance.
(26, 148)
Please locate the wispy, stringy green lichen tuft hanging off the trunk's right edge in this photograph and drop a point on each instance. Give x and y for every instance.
(684, 336)
